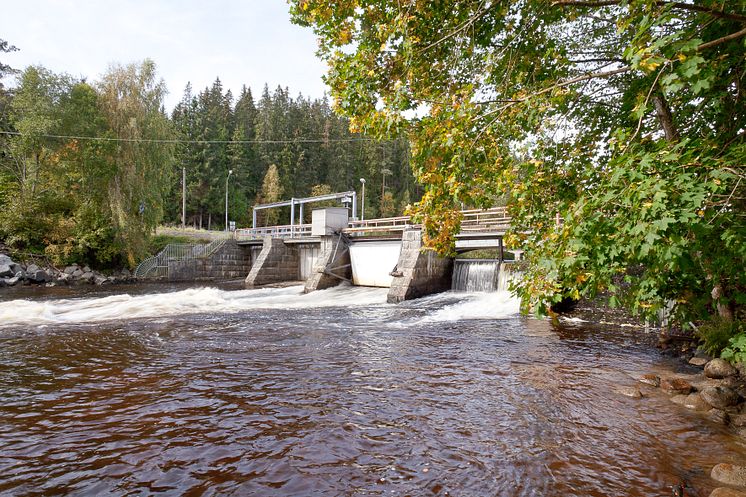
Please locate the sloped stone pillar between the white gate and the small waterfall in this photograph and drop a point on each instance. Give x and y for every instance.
(419, 273)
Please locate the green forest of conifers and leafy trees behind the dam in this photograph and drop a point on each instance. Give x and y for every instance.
(88, 170)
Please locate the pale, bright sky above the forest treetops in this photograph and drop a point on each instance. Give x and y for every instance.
(248, 42)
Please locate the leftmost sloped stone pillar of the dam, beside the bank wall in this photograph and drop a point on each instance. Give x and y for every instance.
(276, 263)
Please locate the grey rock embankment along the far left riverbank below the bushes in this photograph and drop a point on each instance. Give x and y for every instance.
(13, 273)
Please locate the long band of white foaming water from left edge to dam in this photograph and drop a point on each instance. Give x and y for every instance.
(191, 301)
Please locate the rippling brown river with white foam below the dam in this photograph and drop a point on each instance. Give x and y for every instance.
(208, 391)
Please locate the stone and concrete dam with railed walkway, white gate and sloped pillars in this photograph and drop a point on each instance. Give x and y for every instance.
(332, 249)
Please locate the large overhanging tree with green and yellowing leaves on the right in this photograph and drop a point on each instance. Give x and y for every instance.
(624, 118)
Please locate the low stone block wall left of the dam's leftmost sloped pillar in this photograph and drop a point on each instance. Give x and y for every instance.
(230, 261)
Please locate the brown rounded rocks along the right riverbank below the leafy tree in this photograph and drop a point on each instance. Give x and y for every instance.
(718, 392)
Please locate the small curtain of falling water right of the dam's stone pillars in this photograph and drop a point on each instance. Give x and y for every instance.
(481, 275)
